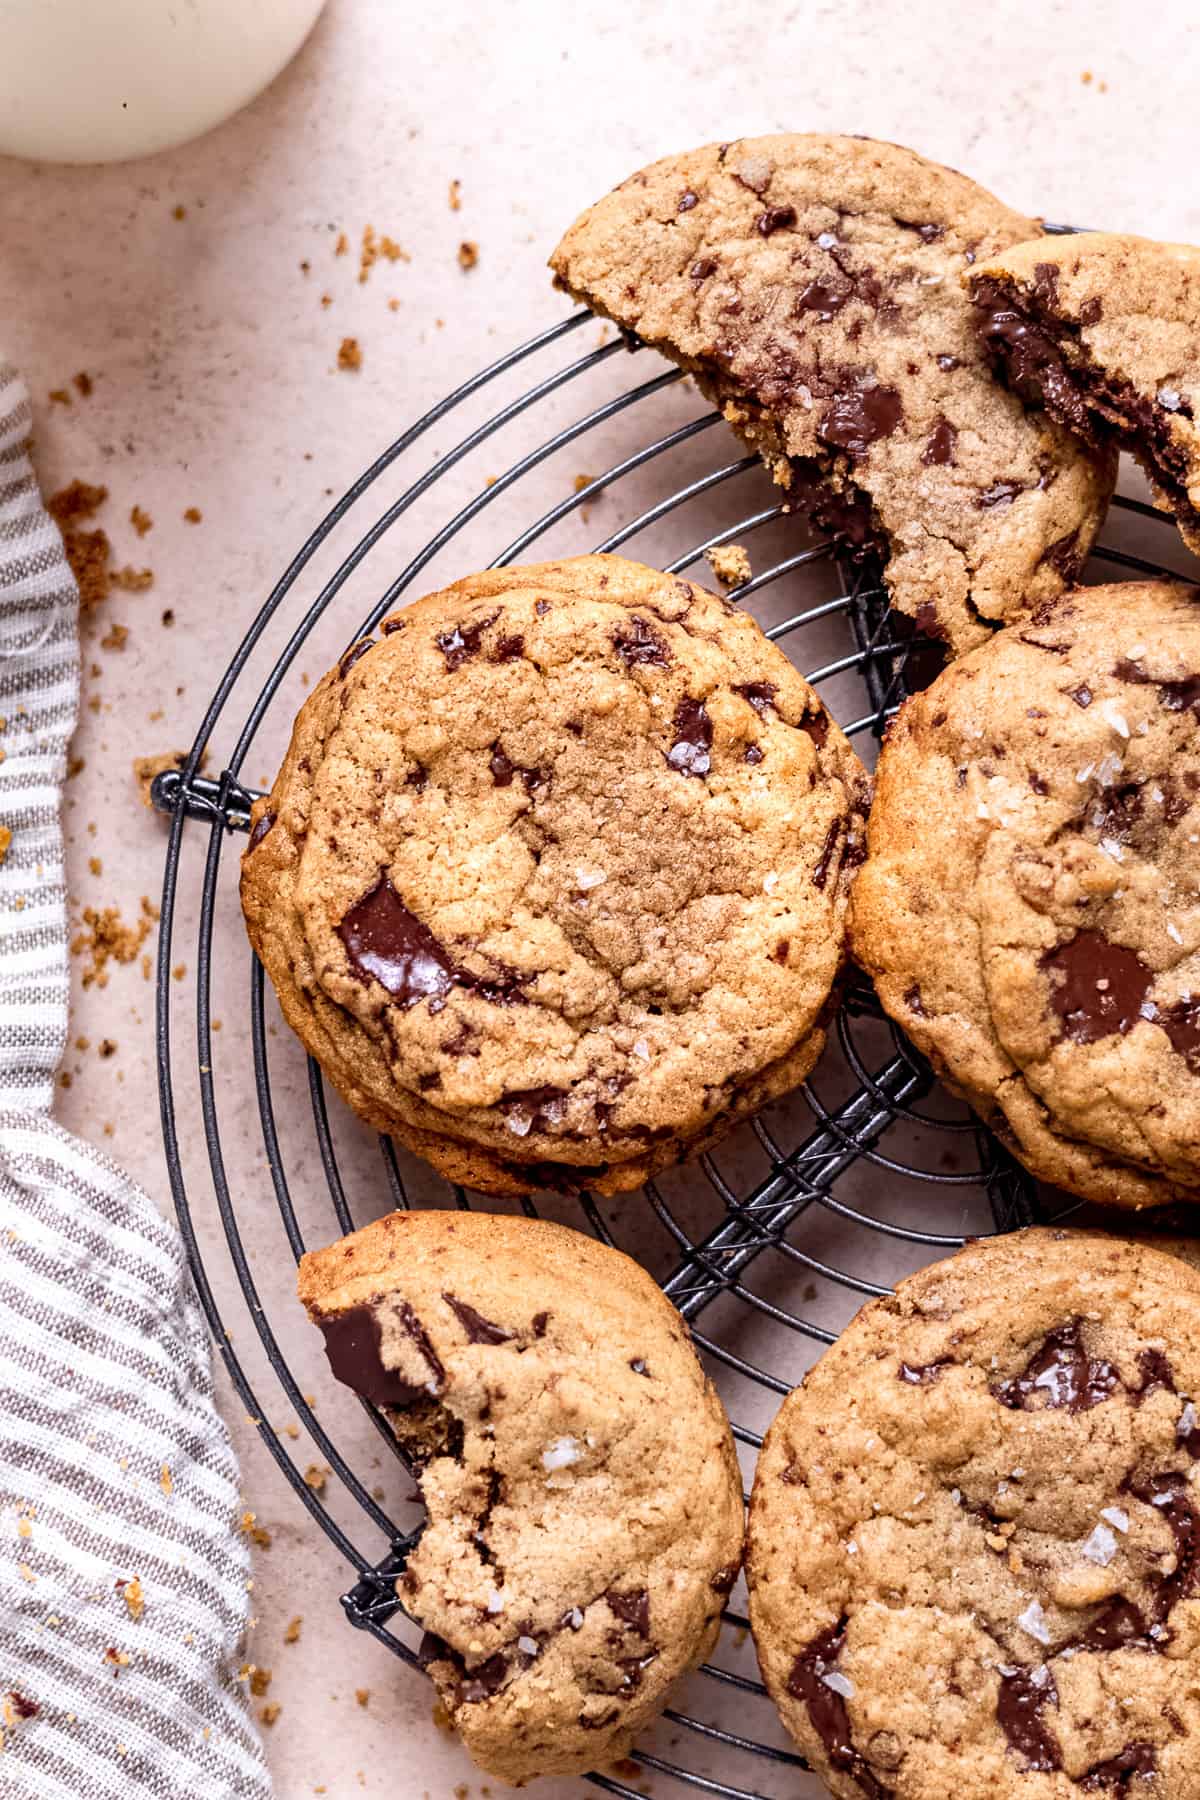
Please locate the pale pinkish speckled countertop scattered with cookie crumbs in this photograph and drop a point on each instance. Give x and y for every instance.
(204, 296)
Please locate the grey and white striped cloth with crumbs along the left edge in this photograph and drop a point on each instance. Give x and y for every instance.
(114, 1462)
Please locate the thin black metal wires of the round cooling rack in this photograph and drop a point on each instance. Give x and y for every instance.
(800, 1178)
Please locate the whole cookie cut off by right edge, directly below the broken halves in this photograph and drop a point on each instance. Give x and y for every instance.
(1030, 910)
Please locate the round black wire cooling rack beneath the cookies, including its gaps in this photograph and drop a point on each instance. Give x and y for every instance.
(769, 1243)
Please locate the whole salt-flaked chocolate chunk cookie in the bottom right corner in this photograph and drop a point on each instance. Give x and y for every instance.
(974, 1547)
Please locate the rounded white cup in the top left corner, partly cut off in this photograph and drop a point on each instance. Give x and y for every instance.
(107, 80)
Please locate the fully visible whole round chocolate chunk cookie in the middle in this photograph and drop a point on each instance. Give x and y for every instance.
(553, 877)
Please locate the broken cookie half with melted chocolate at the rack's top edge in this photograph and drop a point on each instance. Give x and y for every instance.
(812, 287)
